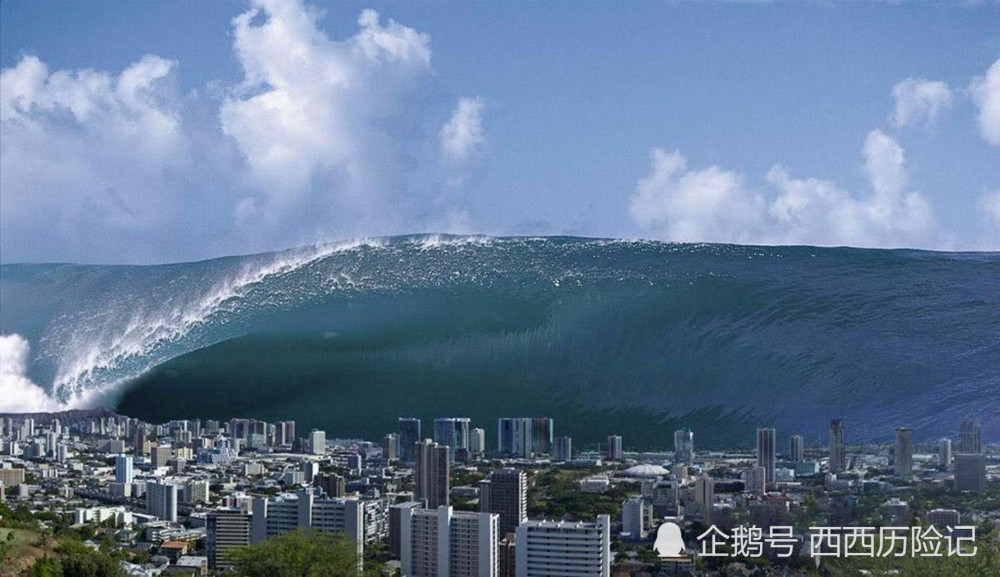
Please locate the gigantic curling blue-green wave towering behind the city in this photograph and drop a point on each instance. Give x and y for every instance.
(629, 337)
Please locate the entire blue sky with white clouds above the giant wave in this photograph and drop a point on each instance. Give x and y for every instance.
(147, 132)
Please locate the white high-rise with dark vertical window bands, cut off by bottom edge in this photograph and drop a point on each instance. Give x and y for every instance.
(448, 543)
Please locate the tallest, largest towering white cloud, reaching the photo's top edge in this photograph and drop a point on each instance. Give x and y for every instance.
(328, 128)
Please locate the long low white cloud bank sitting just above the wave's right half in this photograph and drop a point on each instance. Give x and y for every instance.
(716, 205)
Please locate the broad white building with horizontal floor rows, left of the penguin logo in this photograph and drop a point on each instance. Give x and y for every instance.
(564, 548)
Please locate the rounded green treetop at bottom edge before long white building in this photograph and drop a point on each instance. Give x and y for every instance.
(302, 553)
